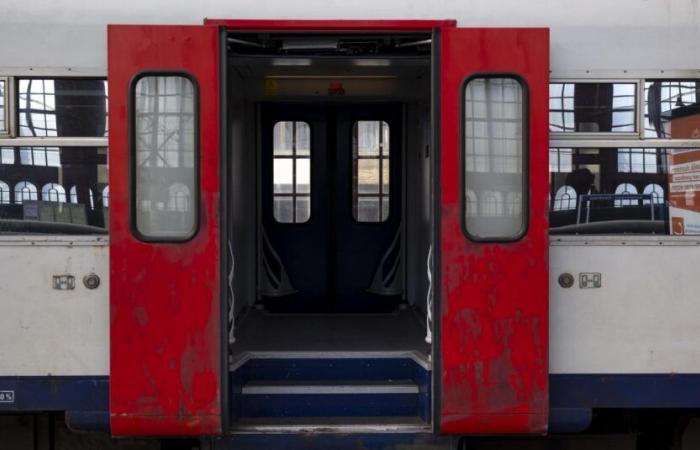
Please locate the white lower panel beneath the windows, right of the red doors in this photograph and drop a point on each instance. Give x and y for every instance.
(644, 319)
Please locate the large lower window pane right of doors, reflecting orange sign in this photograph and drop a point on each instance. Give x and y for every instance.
(626, 190)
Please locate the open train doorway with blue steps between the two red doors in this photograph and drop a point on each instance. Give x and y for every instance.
(330, 200)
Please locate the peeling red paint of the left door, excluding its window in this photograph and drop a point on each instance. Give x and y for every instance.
(164, 298)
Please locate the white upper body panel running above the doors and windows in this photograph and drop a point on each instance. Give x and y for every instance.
(594, 34)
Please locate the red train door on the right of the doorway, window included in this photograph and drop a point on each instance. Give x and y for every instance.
(493, 231)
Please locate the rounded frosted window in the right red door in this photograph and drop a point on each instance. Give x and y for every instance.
(494, 158)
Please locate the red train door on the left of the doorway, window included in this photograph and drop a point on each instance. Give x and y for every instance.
(166, 353)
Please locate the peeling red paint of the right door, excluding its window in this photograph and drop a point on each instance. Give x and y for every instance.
(494, 297)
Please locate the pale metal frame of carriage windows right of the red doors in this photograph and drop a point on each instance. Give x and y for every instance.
(612, 141)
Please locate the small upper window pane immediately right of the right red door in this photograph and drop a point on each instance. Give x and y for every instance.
(592, 107)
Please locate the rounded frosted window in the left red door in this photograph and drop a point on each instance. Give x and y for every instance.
(164, 158)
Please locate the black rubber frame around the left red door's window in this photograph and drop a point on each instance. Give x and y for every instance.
(131, 130)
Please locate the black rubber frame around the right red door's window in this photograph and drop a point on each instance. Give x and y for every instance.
(525, 157)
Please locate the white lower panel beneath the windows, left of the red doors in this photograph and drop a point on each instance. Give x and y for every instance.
(50, 332)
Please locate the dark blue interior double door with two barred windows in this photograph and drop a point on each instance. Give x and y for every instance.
(331, 208)
